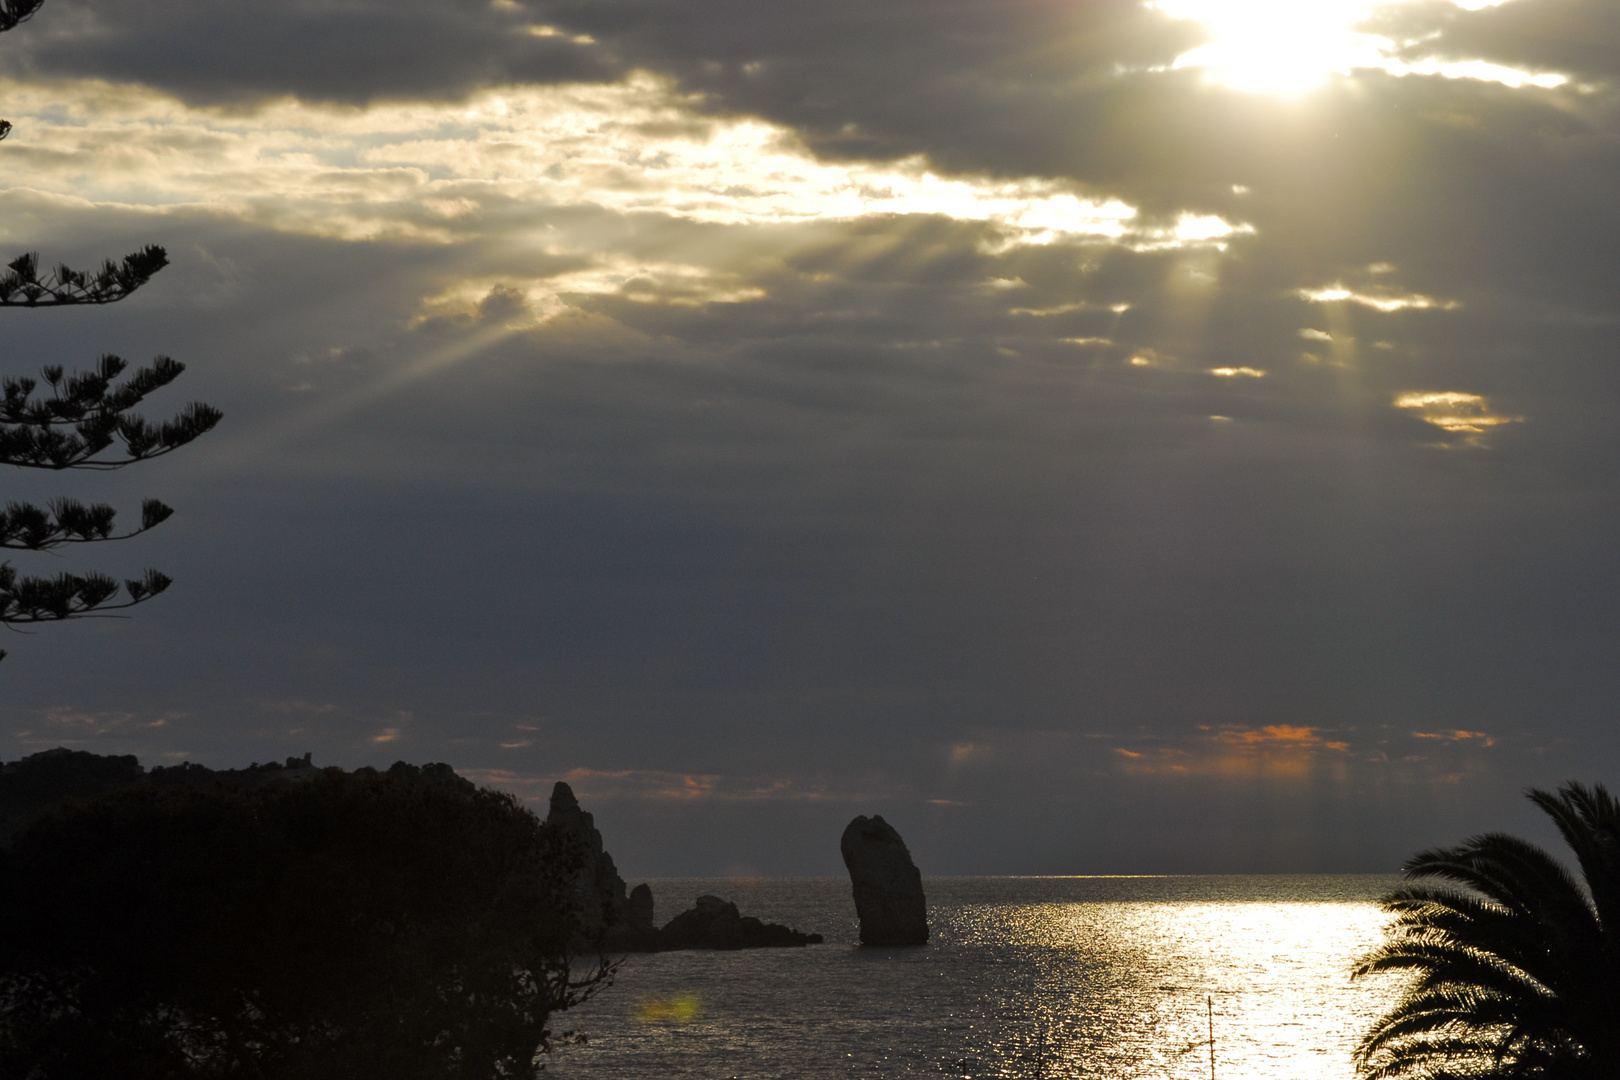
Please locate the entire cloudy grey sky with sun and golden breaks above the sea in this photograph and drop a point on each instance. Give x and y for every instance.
(1099, 438)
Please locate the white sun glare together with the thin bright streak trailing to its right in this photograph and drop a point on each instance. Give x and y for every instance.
(1290, 46)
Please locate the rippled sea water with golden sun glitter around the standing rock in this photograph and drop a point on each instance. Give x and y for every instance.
(1023, 977)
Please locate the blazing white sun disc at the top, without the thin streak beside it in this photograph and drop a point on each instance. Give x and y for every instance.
(1277, 46)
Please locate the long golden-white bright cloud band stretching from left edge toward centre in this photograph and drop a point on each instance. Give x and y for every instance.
(430, 172)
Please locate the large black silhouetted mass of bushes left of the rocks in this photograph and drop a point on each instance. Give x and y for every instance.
(326, 925)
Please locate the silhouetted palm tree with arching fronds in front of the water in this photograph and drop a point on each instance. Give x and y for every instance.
(1516, 964)
